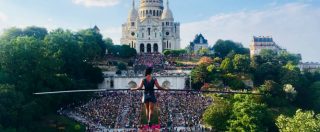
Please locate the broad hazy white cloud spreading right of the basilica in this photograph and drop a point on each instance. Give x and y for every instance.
(294, 26)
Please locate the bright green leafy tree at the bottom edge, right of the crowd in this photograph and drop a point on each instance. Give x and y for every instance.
(237, 113)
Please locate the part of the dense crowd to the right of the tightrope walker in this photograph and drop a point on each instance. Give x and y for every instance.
(182, 109)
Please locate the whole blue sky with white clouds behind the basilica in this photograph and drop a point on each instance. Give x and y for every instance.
(294, 24)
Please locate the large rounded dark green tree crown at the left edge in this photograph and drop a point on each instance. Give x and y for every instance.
(26, 58)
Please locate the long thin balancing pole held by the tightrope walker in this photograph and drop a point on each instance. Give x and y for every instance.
(114, 90)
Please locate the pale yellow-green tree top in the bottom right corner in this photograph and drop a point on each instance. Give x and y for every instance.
(301, 122)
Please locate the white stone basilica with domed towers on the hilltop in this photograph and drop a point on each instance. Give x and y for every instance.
(151, 28)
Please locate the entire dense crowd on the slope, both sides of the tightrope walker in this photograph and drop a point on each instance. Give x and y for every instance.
(122, 110)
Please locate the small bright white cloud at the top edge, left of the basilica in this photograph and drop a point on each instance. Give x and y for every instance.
(96, 3)
